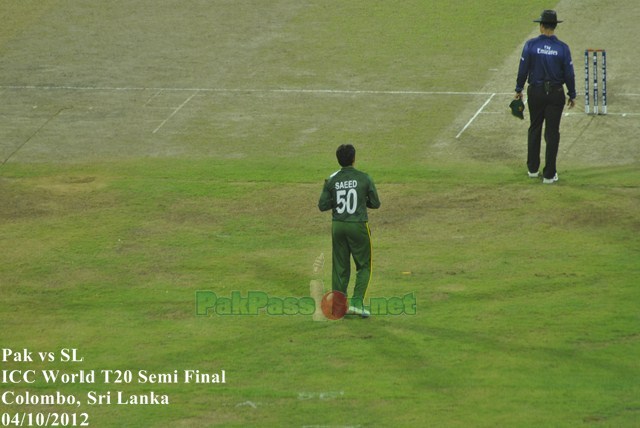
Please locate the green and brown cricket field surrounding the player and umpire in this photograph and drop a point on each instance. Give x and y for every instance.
(149, 150)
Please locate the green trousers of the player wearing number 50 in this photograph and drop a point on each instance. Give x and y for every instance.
(351, 240)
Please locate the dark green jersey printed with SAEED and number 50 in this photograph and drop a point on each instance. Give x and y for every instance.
(349, 192)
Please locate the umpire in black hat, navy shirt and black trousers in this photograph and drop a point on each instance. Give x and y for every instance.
(546, 64)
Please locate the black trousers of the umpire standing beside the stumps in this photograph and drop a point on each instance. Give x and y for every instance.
(545, 106)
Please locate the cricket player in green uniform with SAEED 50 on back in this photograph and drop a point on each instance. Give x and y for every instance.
(348, 193)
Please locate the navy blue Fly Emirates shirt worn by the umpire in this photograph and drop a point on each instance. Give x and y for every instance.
(546, 59)
